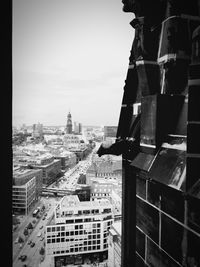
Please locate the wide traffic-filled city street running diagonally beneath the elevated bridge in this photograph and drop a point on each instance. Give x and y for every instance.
(33, 256)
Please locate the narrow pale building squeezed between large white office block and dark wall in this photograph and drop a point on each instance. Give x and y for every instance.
(114, 250)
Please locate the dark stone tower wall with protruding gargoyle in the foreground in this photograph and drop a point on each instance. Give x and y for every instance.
(158, 136)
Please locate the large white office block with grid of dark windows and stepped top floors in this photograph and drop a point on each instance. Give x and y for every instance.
(80, 232)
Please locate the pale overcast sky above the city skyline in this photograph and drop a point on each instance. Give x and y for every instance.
(69, 55)
